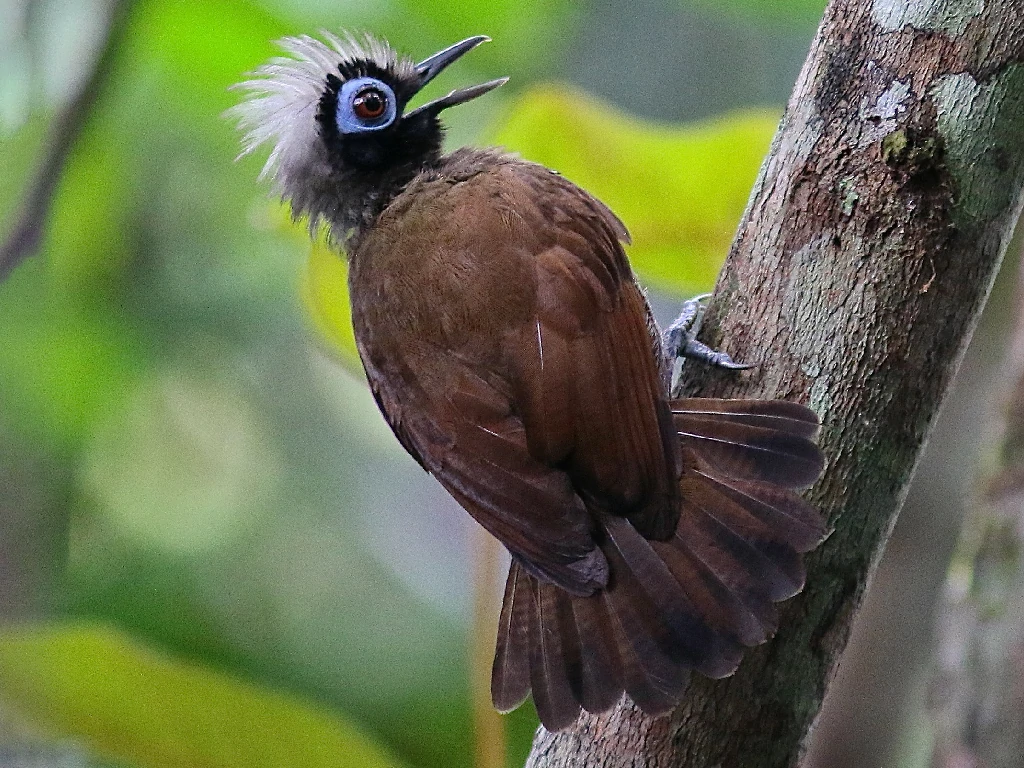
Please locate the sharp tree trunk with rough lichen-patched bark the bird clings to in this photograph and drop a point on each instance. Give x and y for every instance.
(862, 265)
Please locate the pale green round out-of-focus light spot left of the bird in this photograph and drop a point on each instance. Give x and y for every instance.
(185, 464)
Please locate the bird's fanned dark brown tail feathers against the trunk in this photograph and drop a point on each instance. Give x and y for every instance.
(692, 603)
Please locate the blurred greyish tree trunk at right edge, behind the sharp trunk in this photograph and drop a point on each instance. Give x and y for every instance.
(978, 694)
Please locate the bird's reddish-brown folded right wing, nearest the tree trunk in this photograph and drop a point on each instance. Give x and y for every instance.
(589, 387)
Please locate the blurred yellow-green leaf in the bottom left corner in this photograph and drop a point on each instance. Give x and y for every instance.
(126, 702)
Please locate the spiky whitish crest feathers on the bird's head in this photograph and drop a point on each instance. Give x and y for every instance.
(284, 98)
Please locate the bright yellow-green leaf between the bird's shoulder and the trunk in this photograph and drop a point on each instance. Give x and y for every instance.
(680, 191)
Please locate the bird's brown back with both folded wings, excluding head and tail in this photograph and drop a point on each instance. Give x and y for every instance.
(525, 379)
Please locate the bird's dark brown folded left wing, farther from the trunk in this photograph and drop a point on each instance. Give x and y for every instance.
(466, 435)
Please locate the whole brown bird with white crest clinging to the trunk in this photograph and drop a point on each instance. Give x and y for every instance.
(511, 350)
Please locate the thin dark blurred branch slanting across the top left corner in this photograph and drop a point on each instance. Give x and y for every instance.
(27, 234)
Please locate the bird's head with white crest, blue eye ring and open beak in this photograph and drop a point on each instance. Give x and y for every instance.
(335, 112)
